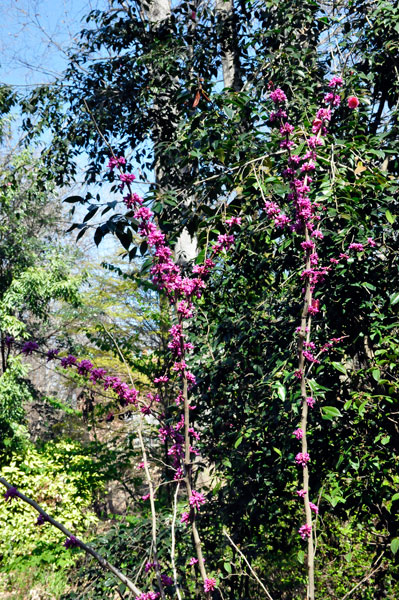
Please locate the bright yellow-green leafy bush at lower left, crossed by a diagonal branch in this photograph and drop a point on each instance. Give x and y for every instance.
(60, 478)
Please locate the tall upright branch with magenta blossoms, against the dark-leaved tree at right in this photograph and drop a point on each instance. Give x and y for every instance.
(303, 220)
